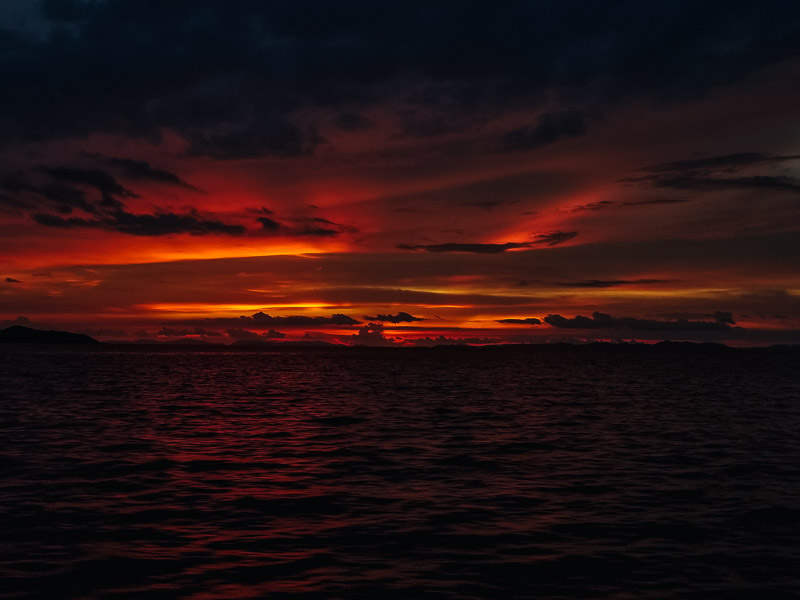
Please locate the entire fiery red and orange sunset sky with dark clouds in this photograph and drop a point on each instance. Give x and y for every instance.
(401, 173)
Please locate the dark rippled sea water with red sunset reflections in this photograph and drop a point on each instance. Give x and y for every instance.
(398, 473)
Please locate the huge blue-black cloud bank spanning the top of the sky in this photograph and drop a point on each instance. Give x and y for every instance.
(237, 79)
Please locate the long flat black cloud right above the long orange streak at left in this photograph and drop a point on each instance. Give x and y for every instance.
(160, 223)
